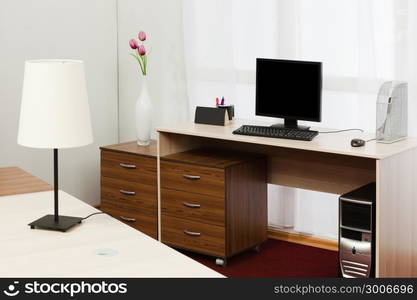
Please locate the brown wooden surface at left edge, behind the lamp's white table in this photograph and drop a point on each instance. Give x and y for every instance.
(16, 181)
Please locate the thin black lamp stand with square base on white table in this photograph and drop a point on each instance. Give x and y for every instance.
(55, 221)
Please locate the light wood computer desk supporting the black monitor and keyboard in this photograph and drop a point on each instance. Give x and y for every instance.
(330, 164)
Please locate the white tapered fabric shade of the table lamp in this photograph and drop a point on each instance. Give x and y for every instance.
(54, 111)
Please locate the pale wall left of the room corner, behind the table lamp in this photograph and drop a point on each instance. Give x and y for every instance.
(79, 29)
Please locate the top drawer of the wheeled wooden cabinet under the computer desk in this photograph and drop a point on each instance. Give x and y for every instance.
(192, 178)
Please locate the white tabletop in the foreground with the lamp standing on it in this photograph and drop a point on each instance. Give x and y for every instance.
(40, 253)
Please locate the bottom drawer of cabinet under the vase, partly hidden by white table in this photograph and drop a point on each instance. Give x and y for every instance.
(144, 222)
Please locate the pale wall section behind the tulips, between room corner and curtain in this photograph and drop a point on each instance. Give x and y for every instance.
(162, 21)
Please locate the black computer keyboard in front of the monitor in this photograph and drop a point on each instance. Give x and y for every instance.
(277, 132)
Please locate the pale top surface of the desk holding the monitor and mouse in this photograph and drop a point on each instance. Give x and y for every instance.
(338, 143)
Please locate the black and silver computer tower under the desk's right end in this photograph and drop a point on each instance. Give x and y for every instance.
(357, 232)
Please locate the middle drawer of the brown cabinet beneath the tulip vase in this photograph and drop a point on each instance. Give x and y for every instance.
(129, 194)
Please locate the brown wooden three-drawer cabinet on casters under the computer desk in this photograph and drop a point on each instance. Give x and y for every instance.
(213, 202)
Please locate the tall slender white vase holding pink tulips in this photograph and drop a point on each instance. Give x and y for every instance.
(143, 116)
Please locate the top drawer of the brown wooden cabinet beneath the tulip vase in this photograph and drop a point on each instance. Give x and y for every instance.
(128, 167)
